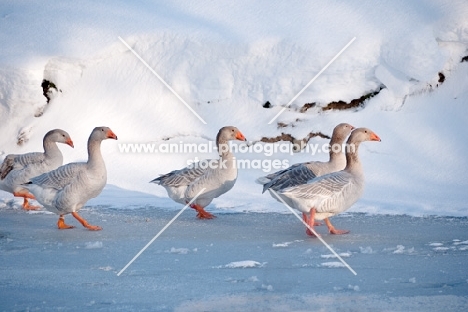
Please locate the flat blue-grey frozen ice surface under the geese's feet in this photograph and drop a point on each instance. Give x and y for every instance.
(235, 266)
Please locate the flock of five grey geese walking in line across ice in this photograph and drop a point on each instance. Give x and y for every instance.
(317, 189)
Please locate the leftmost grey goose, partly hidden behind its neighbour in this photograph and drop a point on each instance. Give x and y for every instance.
(18, 169)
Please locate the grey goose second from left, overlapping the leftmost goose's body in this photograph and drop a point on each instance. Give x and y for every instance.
(68, 188)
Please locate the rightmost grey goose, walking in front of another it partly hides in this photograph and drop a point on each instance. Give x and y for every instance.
(333, 193)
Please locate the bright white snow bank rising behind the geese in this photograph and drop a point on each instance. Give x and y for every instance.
(226, 60)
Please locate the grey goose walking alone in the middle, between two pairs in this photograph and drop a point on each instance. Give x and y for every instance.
(216, 178)
